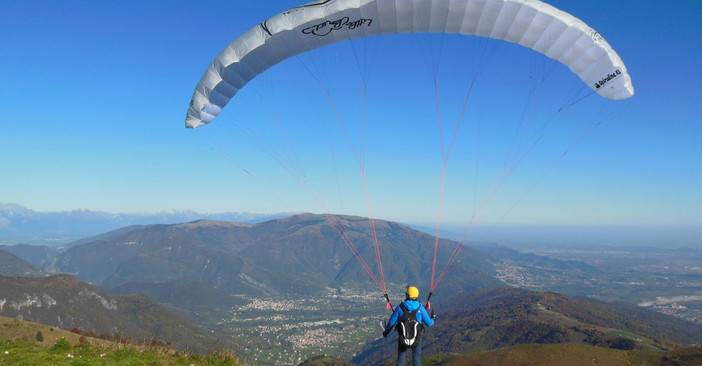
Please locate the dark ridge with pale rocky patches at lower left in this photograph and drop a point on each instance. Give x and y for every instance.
(65, 302)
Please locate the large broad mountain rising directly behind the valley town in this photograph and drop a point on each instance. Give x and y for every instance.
(300, 254)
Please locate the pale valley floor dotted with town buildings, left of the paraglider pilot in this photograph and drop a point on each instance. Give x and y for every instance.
(279, 331)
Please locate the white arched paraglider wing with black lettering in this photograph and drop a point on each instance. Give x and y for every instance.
(530, 23)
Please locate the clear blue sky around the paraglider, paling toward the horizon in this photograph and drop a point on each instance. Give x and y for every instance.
(95, 94)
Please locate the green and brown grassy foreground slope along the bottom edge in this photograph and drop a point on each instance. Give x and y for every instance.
(60, 347)
